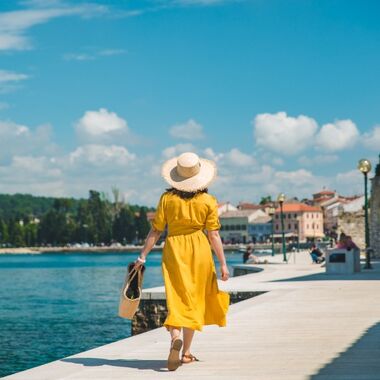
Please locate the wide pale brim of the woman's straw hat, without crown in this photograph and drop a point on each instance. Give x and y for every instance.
(200, 181)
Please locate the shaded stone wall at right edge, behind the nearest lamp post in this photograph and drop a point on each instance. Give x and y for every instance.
(375, 216)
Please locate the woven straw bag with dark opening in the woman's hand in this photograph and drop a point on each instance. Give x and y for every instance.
(130, 298)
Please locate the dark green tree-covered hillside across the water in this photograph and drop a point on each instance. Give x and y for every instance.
(27, 220)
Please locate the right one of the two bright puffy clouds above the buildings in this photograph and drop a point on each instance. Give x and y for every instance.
(341, 134)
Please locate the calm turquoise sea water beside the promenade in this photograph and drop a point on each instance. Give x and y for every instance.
(54, 305)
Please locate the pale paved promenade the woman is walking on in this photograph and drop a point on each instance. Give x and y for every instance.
(305, 325)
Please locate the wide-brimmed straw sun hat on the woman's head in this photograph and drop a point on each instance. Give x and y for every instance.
(188, 172)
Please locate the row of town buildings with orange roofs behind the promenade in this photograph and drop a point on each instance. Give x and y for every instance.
(326, 214)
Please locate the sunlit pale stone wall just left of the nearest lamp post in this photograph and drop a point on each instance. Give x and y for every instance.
(352, 223)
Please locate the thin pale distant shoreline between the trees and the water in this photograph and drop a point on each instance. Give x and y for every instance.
(129, 249)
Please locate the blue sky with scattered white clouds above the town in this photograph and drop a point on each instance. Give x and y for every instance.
(282, 94)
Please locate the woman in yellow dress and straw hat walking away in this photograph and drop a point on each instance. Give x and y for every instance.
(192, 294)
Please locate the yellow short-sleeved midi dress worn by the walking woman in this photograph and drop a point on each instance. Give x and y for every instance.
(192, 294)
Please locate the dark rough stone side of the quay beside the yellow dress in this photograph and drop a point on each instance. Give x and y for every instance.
(152, 312)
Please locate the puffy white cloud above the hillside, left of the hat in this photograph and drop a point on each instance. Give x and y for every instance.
(102, 126)
